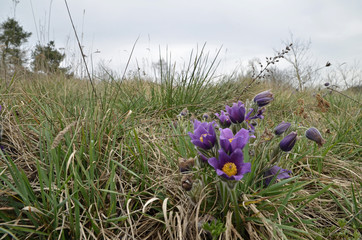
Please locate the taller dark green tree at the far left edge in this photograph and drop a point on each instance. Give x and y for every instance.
(12, 36)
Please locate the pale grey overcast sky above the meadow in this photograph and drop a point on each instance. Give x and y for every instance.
(245, 29)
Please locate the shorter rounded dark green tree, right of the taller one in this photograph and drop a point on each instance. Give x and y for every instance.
(46, 58)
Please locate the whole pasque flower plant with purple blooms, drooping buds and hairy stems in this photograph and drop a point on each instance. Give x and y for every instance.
(232, 149)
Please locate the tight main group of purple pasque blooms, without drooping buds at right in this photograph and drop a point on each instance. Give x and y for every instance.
(224, 152)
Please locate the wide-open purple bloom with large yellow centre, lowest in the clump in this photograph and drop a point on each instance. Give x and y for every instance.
(230, 167)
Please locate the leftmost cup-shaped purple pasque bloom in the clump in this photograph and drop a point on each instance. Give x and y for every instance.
(204, 135)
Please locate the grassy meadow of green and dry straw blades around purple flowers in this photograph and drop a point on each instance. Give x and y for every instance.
(102, 162)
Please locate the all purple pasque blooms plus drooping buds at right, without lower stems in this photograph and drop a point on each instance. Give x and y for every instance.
(221, 145)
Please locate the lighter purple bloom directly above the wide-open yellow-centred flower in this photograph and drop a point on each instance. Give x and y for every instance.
(230, 143)
